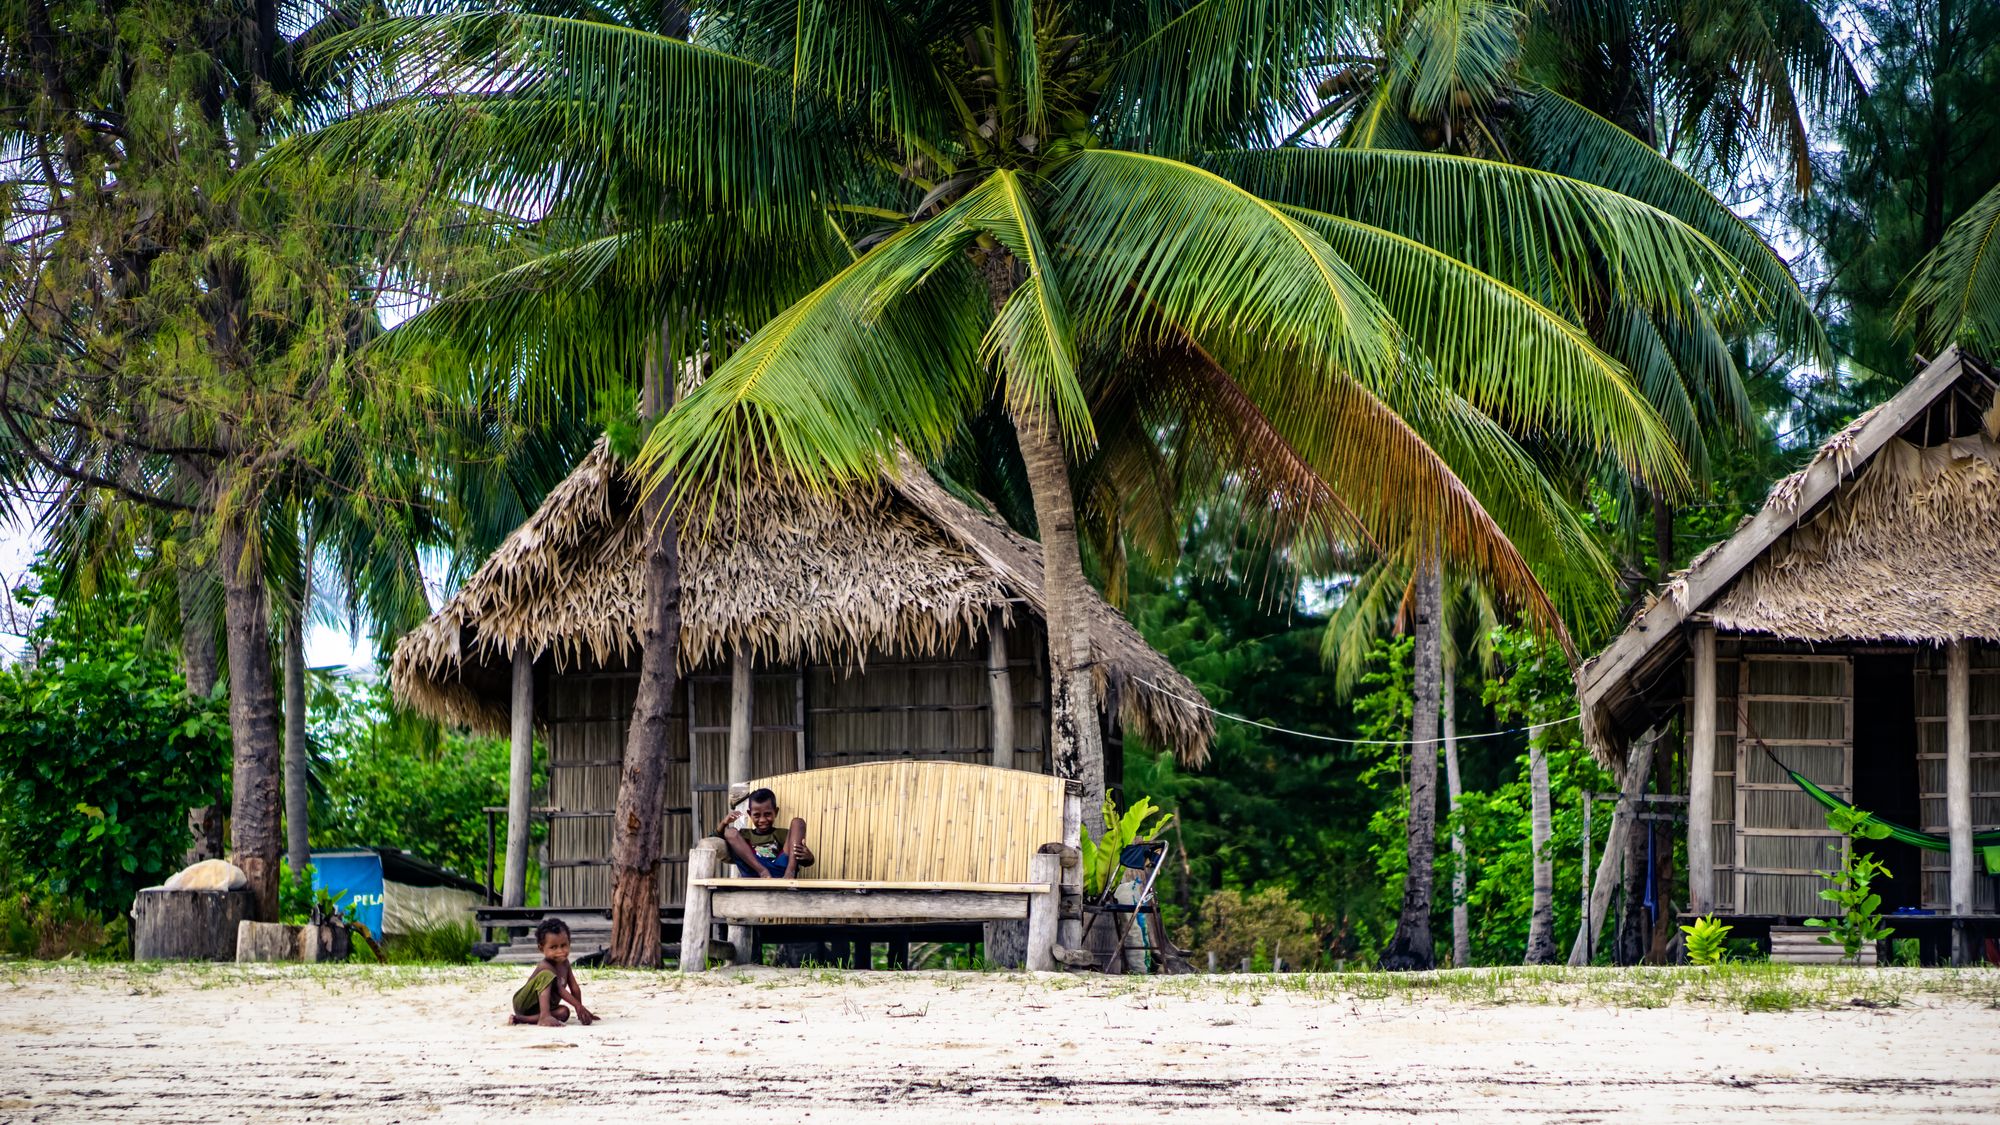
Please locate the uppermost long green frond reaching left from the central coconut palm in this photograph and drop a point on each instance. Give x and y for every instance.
(523, 109)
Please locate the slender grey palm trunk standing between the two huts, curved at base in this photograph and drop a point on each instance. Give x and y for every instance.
(1411, 948)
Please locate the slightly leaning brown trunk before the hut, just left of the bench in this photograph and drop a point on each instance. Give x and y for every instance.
(637, 828)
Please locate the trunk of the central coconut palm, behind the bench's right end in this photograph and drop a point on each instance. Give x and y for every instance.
(1075, 738)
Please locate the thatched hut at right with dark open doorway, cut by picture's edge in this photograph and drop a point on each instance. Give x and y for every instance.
(1847, 634)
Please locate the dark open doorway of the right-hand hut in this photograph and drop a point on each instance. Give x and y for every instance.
(1885, 766)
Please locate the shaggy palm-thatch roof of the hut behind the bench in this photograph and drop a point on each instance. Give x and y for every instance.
(791, 574)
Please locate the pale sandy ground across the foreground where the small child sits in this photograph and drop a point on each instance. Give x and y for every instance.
(321, 1044)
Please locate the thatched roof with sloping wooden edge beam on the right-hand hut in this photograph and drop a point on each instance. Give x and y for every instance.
(1889, 533)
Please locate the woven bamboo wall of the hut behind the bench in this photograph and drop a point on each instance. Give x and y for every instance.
(895, 710)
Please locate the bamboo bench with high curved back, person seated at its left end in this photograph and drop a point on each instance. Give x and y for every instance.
(903, 844)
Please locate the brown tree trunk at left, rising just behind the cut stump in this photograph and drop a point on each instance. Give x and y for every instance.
(253, 714)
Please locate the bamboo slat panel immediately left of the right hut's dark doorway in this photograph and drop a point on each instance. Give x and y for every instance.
(1801, 706)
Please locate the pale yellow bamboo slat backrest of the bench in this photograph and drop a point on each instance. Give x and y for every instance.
(921, 822)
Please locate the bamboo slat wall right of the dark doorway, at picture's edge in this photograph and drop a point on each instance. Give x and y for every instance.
(1985, 684)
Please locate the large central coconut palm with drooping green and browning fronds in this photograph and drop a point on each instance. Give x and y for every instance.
(879, 217)
